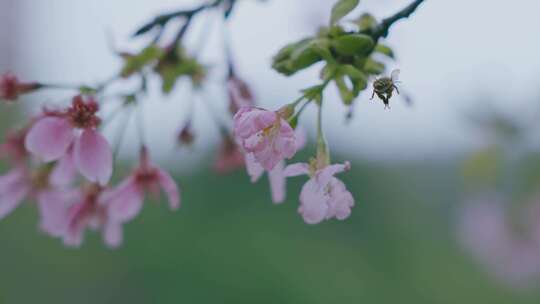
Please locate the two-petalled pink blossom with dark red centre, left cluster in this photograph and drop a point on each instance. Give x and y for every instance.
(54, 134)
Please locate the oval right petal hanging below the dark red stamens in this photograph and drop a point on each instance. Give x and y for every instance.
(93, 157)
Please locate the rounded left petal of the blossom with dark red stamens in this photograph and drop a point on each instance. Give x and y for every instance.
(49, 138)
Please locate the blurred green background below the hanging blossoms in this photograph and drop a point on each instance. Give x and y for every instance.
(229, 244)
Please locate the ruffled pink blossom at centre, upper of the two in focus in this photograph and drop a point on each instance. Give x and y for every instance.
(266, 134)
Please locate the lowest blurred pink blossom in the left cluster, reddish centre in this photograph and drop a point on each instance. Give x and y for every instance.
(90, 211)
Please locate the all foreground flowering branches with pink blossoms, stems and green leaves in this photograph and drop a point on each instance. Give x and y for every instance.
(62, 161)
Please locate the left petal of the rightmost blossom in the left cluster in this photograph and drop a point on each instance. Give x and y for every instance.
(125, 202)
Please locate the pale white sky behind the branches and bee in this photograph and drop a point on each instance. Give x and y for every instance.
(451, 53)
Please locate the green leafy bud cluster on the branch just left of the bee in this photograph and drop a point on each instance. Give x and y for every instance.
(348, 55)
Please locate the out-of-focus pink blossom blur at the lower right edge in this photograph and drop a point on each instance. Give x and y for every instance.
(485, 232)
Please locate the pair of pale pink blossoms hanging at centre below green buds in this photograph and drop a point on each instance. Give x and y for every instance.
(267, 139)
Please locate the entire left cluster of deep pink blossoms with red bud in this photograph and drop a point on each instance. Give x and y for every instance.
(61, 161)
